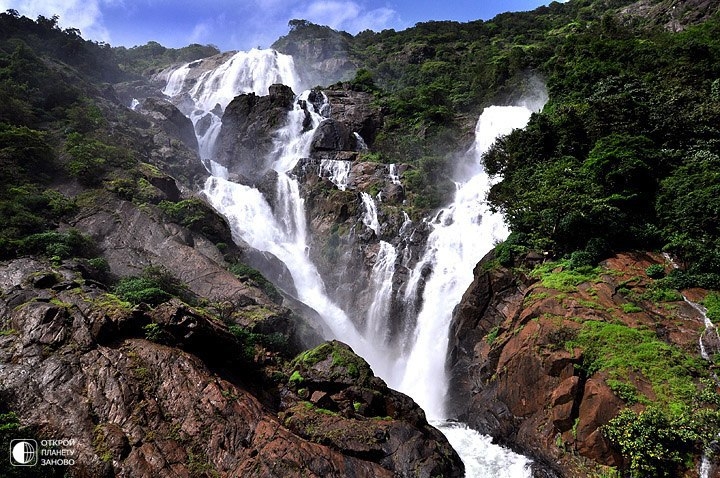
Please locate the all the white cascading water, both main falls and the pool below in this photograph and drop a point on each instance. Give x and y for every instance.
(461, 234)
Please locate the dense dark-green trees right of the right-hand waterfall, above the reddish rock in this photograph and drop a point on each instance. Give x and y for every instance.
(625, 153)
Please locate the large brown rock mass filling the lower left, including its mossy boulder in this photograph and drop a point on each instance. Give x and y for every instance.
(80, 364)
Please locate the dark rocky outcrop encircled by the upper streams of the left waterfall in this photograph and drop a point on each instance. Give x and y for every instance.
(248, 123)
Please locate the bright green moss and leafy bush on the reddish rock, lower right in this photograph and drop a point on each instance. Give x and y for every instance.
(680, 419)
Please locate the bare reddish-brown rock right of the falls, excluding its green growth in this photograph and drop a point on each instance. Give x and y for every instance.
(514, 378)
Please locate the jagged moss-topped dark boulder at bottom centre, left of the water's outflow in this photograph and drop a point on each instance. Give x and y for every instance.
(357, 414)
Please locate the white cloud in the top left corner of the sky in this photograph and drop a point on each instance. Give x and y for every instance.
(84, 15)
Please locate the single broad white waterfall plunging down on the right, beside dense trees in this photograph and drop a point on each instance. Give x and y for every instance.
(462, 234)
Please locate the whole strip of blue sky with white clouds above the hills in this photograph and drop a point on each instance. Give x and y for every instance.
(244, 24)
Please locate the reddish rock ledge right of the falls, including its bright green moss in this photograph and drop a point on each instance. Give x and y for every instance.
(542, 360)
